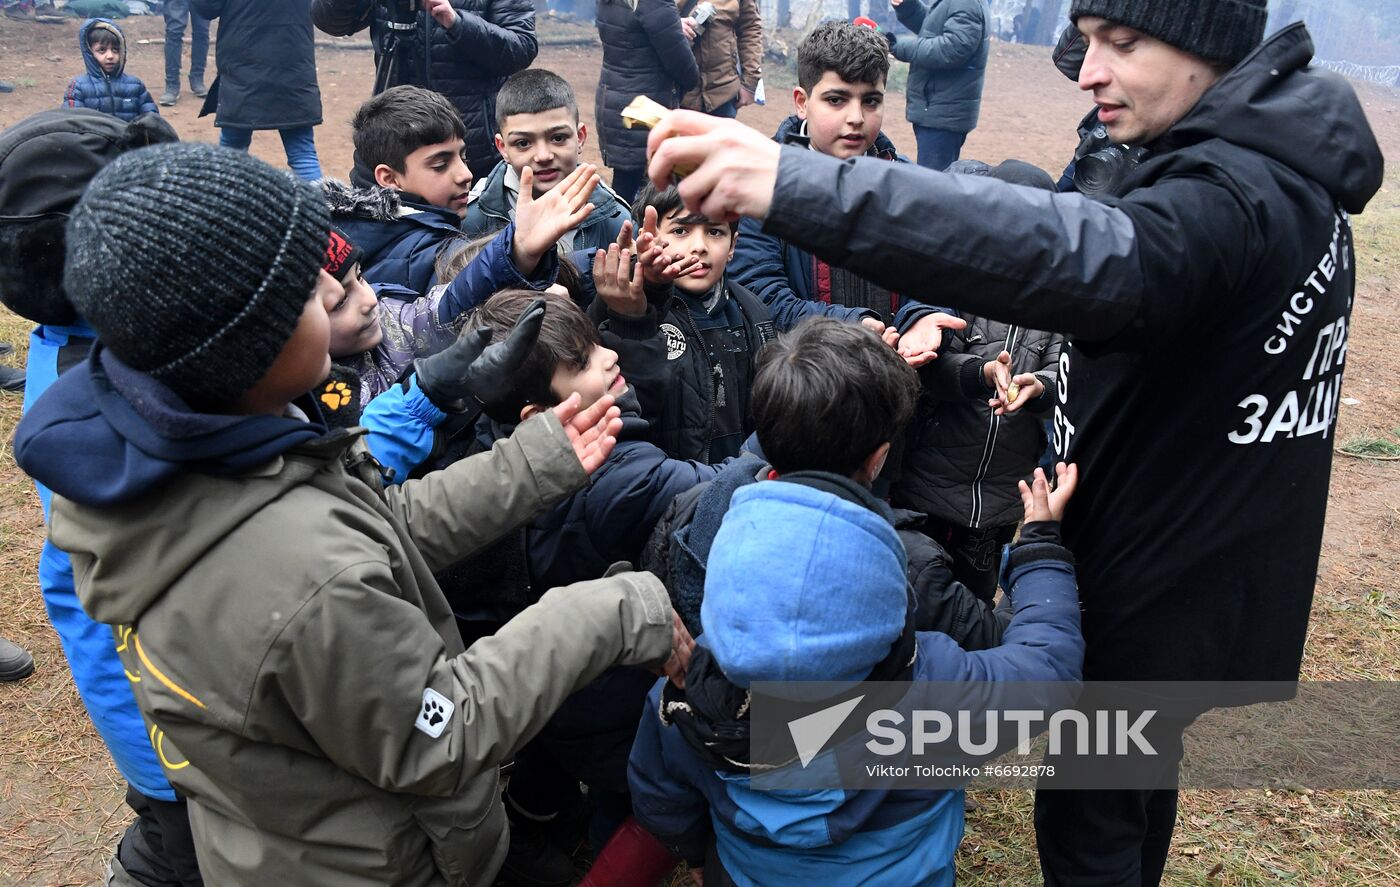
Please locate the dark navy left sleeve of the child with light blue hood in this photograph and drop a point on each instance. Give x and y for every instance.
(670, 808)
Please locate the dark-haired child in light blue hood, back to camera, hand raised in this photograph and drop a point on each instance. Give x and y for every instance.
(827, 601)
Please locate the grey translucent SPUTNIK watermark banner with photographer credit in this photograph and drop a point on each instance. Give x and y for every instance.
(1150, 735)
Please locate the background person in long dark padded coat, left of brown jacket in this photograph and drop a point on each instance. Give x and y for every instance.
(645, 54)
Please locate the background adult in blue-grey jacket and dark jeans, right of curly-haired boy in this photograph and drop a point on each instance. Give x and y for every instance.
(947, 68)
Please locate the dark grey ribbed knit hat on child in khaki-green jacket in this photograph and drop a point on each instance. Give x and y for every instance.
(194, 265)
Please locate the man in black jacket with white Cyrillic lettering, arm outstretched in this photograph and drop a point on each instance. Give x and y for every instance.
(1231, 239)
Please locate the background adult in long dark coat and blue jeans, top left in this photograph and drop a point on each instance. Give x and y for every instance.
(267, 76)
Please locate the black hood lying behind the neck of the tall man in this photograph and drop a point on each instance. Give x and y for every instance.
(1276, 92)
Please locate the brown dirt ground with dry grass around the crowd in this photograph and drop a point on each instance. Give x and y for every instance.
(61, 801)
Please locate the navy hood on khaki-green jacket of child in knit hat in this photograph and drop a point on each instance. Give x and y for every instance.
(135, 436)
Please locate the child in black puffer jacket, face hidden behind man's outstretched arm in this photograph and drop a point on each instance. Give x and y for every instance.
(971, 441)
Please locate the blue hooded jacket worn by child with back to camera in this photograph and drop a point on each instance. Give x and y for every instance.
(834, 837)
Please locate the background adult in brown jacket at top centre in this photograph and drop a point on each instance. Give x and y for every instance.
(730, 54)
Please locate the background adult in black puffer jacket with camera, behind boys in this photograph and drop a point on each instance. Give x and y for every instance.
(464, 50)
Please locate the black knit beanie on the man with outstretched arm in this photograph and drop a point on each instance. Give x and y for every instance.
(1214, 30)
